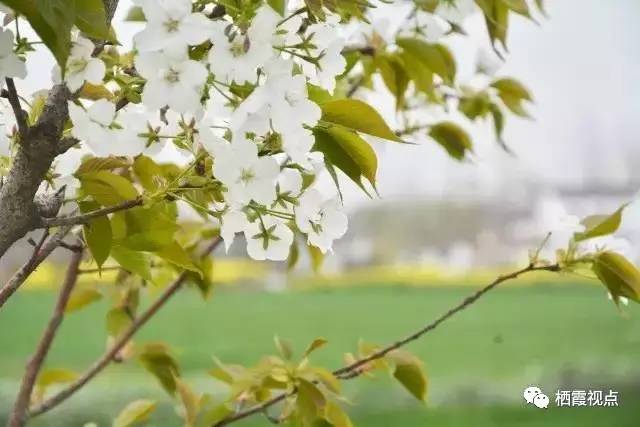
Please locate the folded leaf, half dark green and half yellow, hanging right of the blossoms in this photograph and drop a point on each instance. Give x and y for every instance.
(349, 153)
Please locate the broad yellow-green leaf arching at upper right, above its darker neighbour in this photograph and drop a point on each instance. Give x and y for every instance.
(435, 57)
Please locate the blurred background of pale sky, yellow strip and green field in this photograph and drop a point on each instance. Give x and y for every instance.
(438, 229)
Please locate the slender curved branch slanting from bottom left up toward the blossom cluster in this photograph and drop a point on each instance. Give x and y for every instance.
(119, 344)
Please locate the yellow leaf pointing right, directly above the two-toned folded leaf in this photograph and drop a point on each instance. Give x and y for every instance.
(359, 116)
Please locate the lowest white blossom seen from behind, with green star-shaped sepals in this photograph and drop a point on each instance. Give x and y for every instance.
(268, 238)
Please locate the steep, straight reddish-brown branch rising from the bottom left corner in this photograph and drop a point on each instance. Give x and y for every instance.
(21, 406)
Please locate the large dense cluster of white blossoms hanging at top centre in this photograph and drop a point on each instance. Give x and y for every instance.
(260, 141)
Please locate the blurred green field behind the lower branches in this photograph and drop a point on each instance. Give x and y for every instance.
(567, 337)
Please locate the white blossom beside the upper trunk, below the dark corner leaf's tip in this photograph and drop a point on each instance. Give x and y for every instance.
(81, 66)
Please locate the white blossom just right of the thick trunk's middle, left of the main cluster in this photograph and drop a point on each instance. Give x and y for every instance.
(93, 126)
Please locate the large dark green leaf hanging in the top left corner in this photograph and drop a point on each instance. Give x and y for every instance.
(51, 20)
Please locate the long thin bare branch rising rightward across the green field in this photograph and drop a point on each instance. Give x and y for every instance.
(356, 368)
